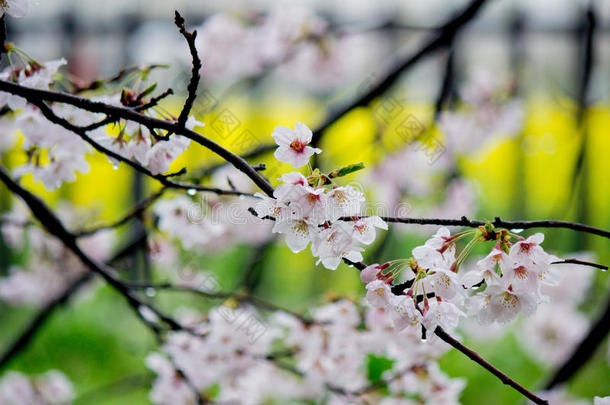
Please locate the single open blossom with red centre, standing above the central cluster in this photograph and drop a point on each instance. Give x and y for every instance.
(294, 145)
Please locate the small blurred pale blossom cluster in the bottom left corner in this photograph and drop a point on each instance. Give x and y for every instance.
(50, 388)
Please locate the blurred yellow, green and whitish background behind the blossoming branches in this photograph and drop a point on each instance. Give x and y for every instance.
(514, 114)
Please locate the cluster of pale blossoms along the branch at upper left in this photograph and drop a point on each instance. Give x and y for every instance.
(55, 154)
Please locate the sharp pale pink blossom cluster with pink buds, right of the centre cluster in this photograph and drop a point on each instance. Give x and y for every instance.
(507, 282)
